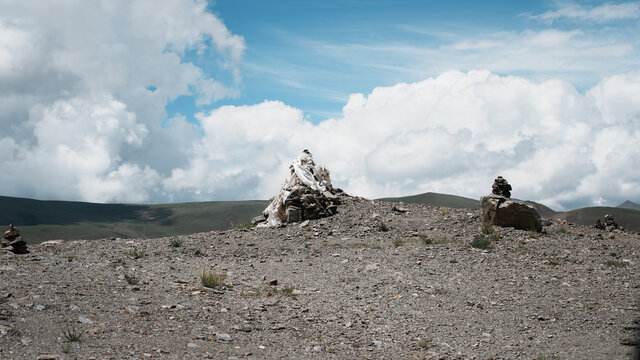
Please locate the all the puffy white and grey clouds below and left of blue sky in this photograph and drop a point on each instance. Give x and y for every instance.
(82, 108)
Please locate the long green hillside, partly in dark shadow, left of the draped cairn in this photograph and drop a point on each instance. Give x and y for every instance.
(46, 220)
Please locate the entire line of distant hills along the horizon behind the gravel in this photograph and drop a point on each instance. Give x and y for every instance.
(46, 220)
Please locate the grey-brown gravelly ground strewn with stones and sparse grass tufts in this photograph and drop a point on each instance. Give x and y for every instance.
(370, 282)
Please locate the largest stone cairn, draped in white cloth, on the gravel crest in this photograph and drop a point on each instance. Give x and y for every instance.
(307, 194)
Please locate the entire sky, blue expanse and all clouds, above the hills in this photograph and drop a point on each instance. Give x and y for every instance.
(189, 100)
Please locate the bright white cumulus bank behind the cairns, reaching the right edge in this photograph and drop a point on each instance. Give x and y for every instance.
(453, 133)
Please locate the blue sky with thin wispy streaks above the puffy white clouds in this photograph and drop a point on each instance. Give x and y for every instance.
(313, 54)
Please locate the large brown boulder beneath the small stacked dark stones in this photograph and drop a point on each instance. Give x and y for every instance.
(500, 211)
